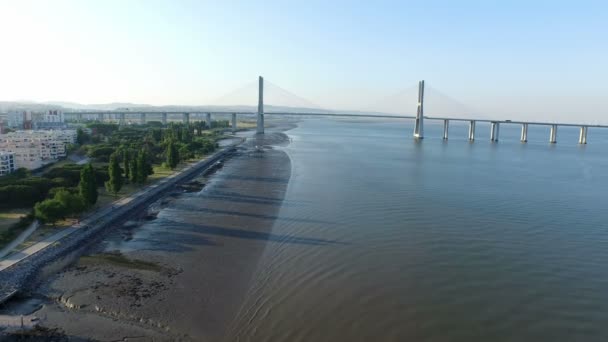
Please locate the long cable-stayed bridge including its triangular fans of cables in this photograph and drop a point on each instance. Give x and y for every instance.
(276, 101)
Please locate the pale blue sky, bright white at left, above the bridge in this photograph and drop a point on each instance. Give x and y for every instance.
(537, 60)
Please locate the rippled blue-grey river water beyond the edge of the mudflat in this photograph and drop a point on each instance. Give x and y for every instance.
(434, 240)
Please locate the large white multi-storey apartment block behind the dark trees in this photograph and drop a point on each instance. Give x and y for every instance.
(34, 149)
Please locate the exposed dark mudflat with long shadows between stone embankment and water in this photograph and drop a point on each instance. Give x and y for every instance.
(179, 270)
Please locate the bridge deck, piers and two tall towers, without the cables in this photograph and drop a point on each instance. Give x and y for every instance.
(419, 118)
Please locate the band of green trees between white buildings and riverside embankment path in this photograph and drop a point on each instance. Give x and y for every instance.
(129, 153)
